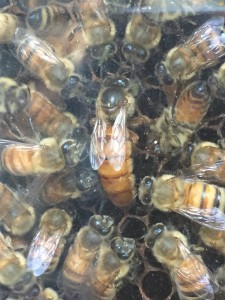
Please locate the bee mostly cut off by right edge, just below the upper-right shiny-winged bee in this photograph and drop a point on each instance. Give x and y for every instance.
(216, 82)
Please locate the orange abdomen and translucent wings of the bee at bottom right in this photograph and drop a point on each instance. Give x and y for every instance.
(192, 277)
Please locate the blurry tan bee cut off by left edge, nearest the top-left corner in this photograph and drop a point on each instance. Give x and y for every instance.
(9, 24)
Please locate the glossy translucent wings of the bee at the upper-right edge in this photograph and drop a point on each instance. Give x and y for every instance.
(210, 33)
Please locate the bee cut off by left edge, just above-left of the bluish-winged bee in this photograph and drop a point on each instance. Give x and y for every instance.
(17, 217)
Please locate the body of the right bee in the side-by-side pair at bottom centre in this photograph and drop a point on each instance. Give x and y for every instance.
(104, 274)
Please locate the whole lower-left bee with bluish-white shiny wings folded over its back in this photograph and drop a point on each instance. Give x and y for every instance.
(48, 243)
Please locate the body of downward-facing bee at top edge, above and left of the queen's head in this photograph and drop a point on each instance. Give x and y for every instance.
(97, 28)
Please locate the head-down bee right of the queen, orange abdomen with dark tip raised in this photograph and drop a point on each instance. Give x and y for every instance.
(174, 127)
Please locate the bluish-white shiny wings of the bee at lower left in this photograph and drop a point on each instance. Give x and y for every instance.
(42, 250)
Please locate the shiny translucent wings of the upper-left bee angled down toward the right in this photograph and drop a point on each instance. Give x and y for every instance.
(23, 39)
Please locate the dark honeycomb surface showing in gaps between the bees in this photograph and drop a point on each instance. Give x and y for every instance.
(147, 279)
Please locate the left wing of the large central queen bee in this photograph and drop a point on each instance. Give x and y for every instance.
(97, 144)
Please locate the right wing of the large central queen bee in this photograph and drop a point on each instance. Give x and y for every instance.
(117, 142)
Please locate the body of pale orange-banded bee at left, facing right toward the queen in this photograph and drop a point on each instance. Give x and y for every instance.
(22, 159)
